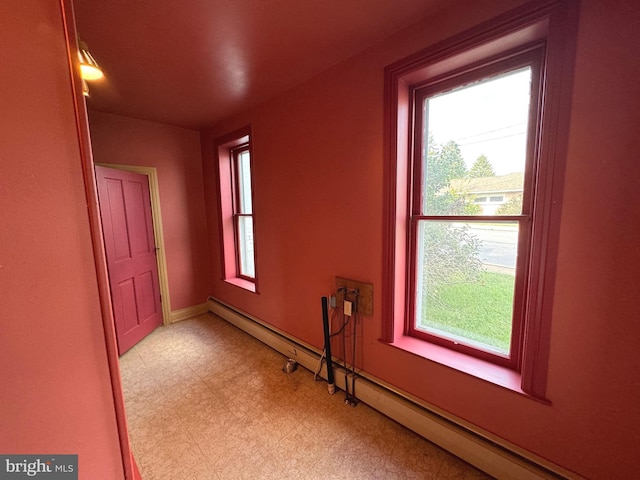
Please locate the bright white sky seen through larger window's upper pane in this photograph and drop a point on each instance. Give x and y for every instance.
(487, 118)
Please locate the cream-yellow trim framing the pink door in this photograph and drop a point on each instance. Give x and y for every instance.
(156, 214)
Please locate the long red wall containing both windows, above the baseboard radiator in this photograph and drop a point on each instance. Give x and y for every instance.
(318, 165)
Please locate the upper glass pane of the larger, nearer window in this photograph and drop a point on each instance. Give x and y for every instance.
(474, 147)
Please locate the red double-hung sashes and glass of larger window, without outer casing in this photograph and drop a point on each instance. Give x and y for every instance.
(468, 275)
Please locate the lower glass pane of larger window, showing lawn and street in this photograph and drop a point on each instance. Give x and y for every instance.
(465, 282)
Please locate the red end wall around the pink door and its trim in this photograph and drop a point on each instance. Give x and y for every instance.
(175, 153)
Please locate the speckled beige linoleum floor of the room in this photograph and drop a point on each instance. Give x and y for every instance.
(205, 401)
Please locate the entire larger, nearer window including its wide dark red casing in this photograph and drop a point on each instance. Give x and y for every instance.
(473, 179)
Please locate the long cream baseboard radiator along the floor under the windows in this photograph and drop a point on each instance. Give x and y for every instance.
(485, 451)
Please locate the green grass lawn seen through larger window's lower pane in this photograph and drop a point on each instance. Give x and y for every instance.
(479, 311)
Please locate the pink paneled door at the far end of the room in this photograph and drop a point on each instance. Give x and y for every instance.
(125, 209)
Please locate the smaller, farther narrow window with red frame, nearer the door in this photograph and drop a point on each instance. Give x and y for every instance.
(236, 209)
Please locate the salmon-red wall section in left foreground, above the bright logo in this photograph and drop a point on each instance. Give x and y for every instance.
(55, 393)
